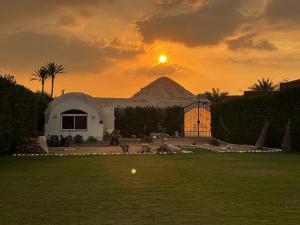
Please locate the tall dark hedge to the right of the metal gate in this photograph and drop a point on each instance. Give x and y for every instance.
(240, 121)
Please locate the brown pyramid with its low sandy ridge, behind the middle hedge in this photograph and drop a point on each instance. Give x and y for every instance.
(162, 92)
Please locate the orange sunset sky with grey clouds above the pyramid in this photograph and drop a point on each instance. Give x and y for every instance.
(110, 48)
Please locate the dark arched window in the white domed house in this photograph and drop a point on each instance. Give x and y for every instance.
(74, 120)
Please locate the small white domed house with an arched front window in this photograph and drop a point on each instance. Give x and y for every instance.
(78, 114)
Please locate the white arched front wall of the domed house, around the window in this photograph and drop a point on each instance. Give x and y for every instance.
(94, 128)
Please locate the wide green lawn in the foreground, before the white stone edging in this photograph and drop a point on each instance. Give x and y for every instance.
(203, 188)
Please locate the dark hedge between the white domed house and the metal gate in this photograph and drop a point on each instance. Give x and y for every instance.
(142, 121)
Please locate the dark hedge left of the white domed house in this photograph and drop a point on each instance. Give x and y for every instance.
(21, 114)
